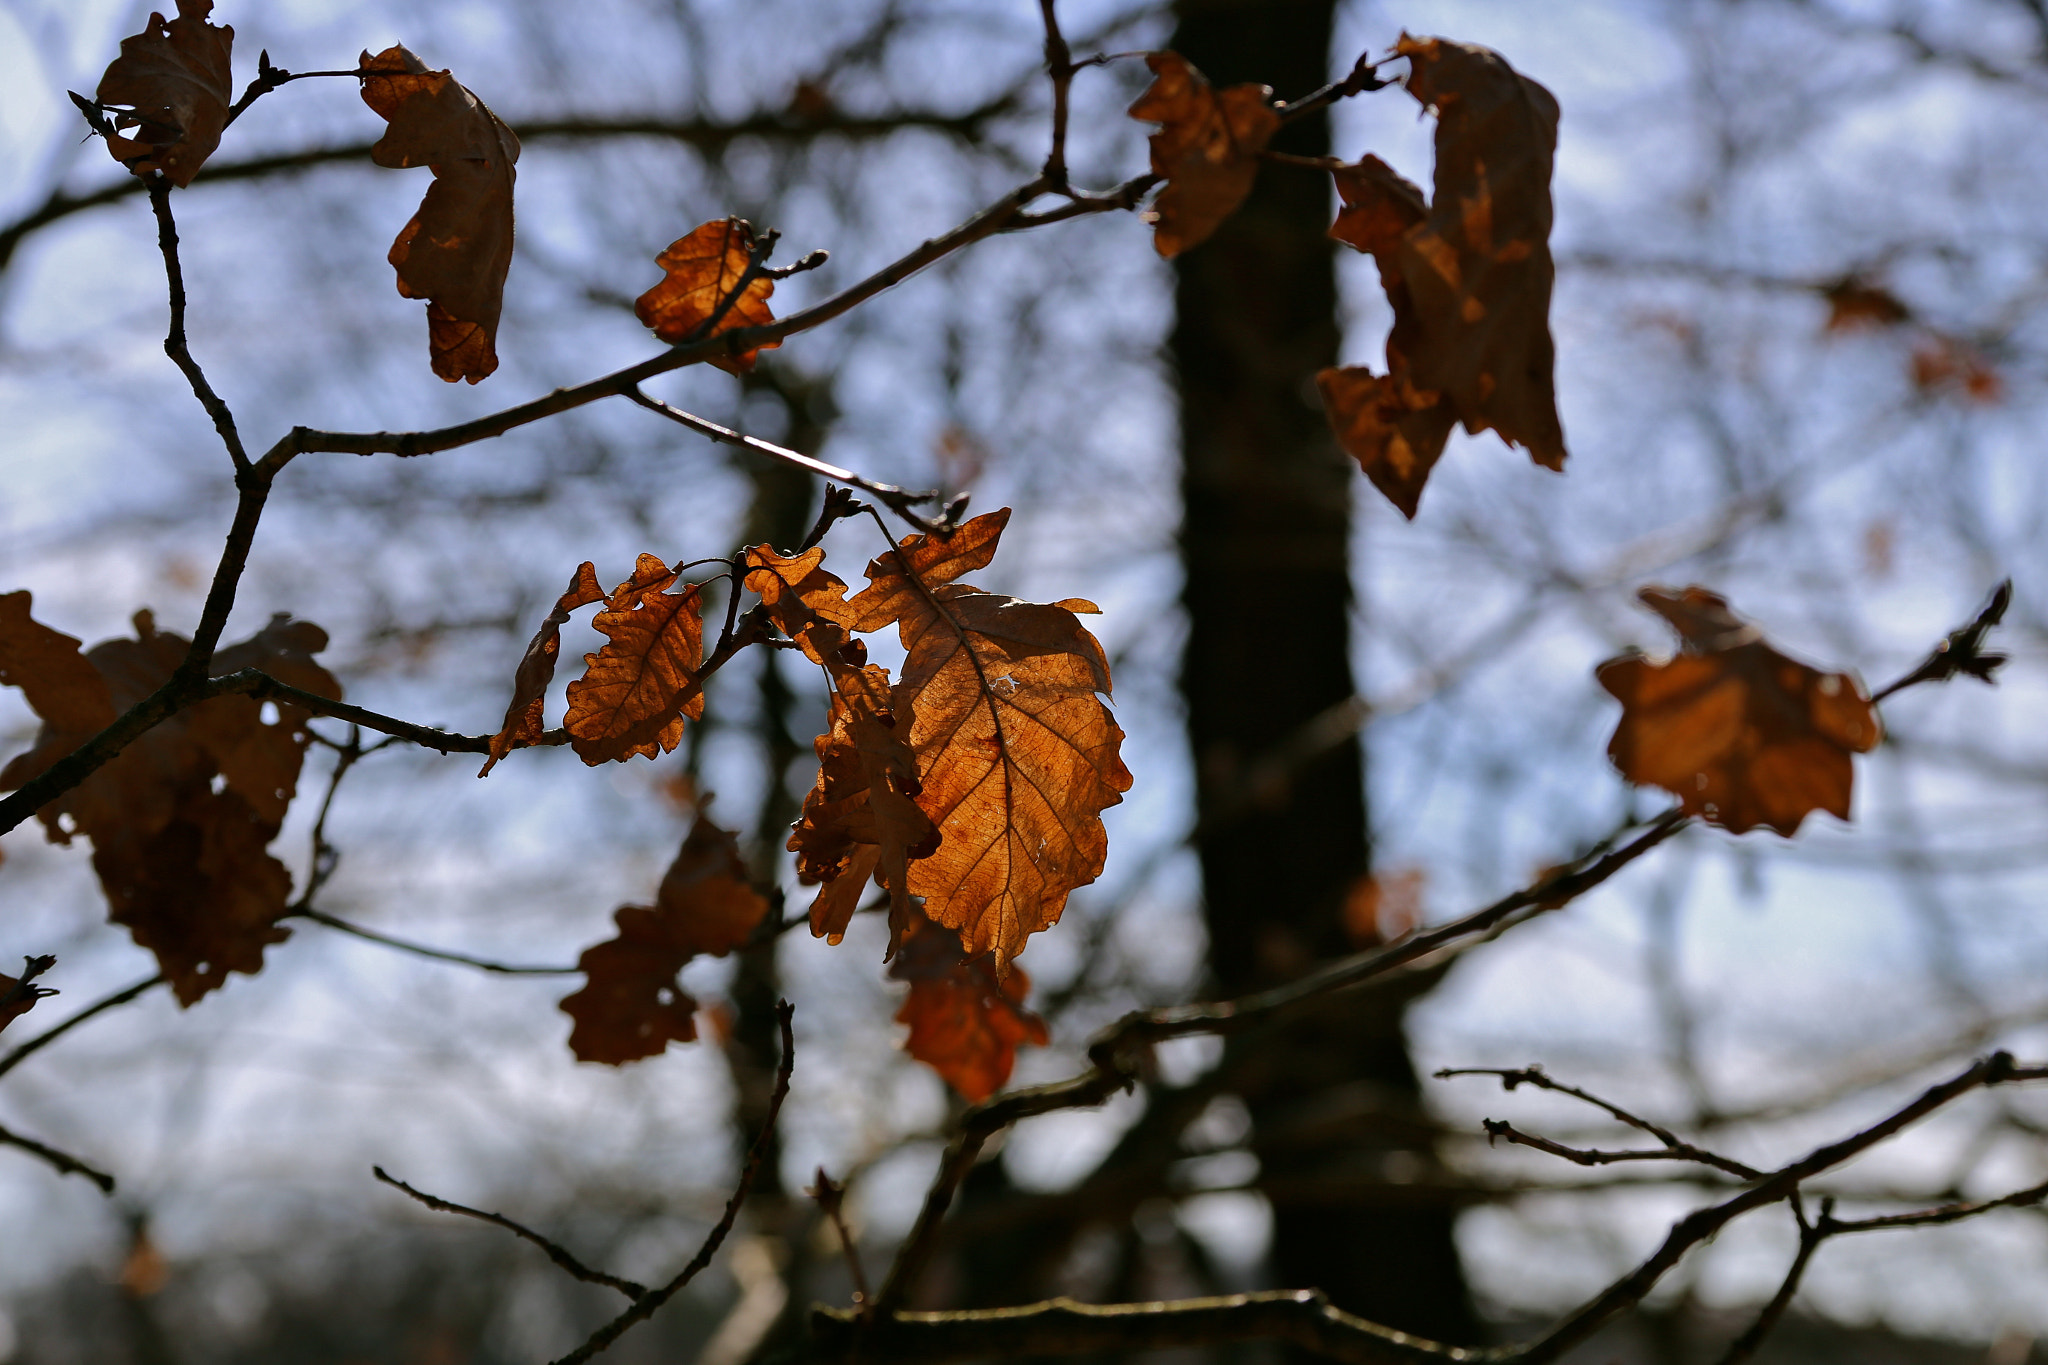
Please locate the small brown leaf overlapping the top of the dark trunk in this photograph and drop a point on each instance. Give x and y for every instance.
(1207, 148)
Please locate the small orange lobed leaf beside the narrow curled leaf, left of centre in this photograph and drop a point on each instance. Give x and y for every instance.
(636, 693)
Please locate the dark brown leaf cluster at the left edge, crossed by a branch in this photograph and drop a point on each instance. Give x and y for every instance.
(181, 820)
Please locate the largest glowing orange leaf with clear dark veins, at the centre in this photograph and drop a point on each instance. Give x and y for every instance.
(1017, 752)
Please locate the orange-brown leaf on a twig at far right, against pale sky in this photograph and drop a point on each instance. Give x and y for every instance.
(1732, 728)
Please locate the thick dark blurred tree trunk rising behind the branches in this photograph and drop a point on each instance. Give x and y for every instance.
(1265, 547)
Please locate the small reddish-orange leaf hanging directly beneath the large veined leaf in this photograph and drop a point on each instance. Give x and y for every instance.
(966, 1016)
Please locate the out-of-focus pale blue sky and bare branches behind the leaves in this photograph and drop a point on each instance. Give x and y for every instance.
(1738, 183)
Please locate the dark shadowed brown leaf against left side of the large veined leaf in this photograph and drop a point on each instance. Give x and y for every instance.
(861, 820)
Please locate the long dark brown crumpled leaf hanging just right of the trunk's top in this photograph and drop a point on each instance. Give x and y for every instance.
(1467, 275)
